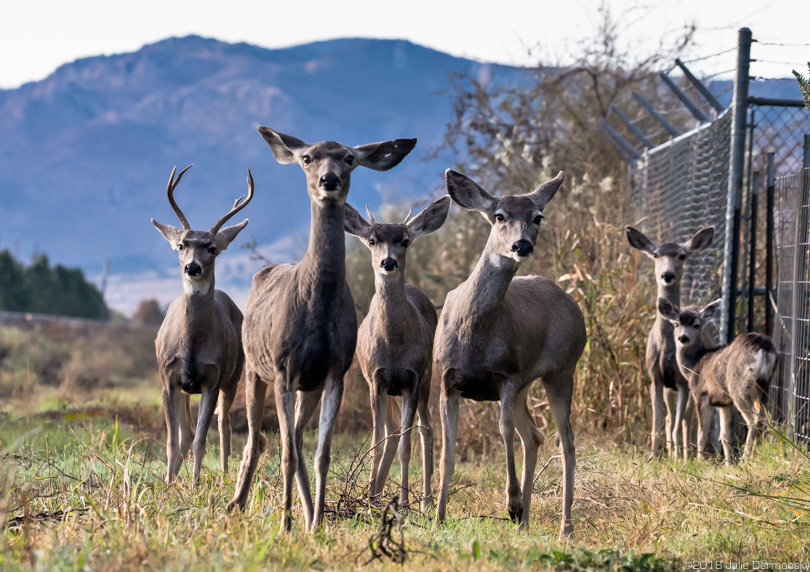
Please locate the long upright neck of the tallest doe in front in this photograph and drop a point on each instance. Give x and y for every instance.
(324, 266)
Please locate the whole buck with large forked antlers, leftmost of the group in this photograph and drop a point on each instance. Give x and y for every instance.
(199, 345)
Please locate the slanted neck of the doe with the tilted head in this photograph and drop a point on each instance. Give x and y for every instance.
(487, 285)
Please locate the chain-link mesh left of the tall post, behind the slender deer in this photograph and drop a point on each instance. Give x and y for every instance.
(682, 186)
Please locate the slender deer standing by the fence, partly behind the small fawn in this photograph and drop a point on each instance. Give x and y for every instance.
(668, 386)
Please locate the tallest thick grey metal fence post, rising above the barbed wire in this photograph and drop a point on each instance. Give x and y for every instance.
(736, 168)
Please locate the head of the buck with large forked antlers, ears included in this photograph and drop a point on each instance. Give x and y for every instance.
(196, 249)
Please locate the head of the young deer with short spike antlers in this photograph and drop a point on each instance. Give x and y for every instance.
(389, 243)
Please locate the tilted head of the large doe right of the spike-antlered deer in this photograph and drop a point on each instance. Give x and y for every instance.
(515, 219)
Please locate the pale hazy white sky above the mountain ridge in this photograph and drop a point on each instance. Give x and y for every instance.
(36, 36)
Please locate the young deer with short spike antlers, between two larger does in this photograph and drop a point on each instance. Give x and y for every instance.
(395, 345)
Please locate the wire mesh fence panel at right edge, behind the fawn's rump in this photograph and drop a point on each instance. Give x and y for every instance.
(790, 389)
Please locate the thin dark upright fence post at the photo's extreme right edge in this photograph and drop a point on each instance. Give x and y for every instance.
(797, 297)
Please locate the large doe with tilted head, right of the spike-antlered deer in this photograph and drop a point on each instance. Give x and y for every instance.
(498, 333)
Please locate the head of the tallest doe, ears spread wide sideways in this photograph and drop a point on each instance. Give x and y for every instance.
(328, 165)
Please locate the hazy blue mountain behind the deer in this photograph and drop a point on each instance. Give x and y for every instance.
(85, 154)
